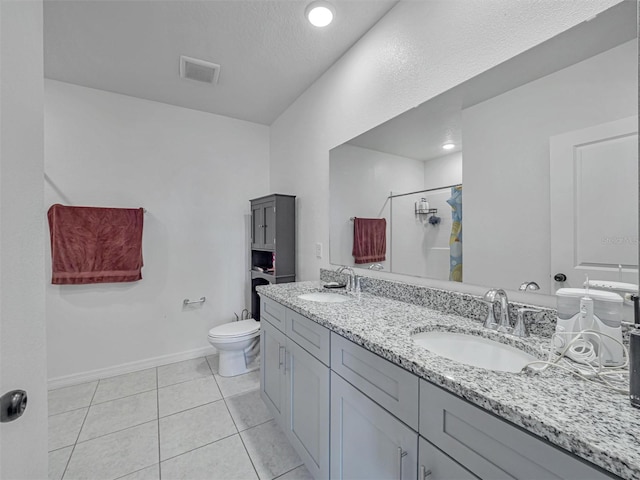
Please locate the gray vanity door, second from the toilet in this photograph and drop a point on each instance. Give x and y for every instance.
(307, 423)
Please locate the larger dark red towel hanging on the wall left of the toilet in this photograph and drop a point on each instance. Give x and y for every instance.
(95, 245)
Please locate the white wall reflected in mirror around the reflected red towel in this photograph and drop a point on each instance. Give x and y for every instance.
(360, 183)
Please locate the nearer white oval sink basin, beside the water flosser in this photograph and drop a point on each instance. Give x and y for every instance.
(473, 350)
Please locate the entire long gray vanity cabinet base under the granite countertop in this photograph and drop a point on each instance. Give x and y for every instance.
(351, 414)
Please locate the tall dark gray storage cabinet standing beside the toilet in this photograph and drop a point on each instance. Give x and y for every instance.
(273, 236)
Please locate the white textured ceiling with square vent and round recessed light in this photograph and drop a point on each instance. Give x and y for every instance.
(269, 54)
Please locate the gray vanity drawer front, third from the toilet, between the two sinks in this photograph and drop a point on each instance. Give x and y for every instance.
(387, 384)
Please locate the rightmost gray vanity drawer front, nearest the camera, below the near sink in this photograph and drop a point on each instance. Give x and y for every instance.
(491, 447)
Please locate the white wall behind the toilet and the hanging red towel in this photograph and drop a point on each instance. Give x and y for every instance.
(194, 172)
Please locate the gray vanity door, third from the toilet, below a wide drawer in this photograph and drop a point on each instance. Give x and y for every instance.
(367, 442)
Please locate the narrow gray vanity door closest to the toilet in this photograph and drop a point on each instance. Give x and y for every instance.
(272, 380)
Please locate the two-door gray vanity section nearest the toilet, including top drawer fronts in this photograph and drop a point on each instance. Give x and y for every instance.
(295, 382)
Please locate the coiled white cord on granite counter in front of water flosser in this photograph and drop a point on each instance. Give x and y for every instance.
(580, 359)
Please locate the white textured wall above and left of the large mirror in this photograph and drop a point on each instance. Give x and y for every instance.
(418, 50)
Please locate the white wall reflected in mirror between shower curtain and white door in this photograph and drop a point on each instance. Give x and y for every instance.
(506, 162)
